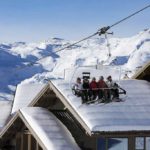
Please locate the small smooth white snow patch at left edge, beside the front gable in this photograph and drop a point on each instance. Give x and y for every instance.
(5, 109)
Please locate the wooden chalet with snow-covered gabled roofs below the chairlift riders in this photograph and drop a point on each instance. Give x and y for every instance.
(50, 117)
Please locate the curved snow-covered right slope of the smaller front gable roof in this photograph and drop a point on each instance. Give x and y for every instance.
(50, 132)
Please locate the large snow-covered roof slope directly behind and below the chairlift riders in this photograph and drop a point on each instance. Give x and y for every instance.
(130, 115)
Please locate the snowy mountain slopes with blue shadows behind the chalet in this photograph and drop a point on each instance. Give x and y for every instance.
(128, 52)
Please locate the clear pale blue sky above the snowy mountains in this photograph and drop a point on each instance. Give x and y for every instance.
(38, 20)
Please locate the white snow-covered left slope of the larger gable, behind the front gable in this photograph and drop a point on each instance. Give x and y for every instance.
(26, 93)
